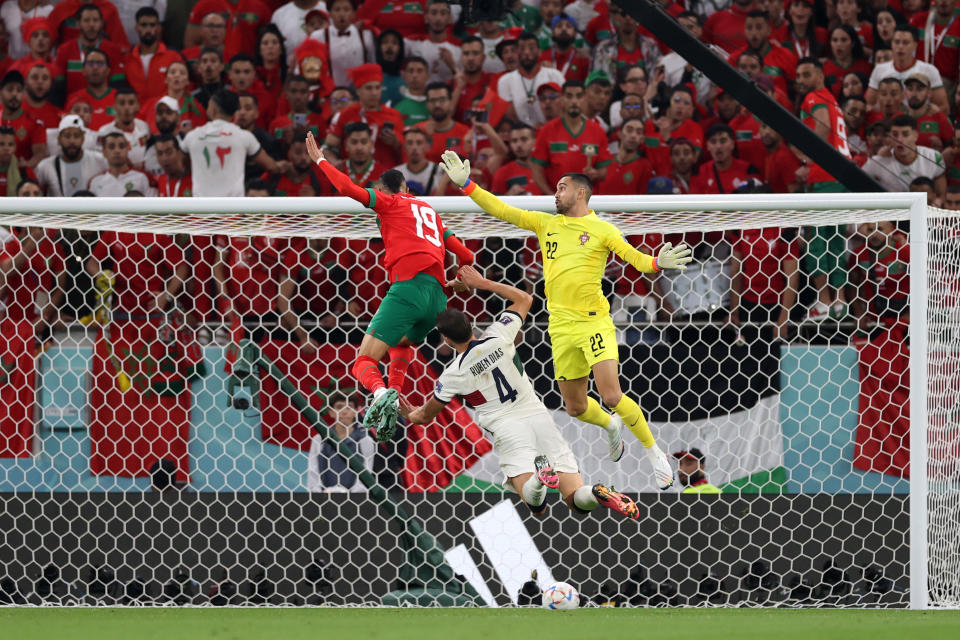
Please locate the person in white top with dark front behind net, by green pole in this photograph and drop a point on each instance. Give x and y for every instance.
(327, 469)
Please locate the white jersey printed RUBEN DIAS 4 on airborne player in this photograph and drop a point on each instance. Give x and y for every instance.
(488, 379)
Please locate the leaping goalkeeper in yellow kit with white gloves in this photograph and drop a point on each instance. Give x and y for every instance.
(575, 244)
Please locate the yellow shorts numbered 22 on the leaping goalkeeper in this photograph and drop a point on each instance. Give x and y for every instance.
(580, 344)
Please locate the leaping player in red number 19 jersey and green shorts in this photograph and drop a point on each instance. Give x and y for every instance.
(415, 243)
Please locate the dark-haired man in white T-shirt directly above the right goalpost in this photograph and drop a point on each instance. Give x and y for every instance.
(907, 162)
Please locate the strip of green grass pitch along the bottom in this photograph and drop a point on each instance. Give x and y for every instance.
(470, 624)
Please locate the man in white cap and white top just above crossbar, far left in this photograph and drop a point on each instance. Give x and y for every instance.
(70, 170)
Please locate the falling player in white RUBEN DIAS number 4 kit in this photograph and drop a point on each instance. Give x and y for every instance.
(487, 374)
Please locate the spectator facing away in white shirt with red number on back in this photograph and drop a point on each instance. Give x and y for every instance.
(219, 150)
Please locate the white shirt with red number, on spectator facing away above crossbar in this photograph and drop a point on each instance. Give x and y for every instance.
(218, 158)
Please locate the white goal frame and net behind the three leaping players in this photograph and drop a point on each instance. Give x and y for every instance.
(179, 424)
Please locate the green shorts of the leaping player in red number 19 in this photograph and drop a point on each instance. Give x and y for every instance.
(409, 310)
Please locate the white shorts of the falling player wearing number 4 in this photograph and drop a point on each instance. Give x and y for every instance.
(519, 441)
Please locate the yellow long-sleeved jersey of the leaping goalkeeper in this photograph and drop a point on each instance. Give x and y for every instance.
(575, 253)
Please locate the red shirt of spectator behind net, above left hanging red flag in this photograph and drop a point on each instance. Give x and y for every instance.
(142, 264)
